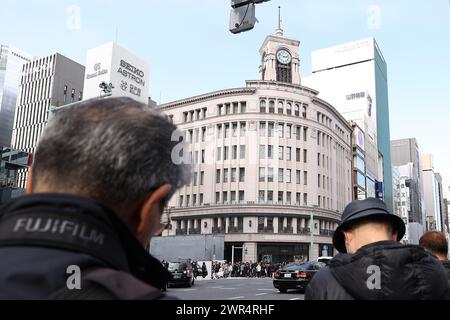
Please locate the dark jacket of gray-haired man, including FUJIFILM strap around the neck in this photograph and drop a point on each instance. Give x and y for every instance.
(42, 235)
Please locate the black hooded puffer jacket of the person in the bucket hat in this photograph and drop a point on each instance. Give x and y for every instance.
(406, 272)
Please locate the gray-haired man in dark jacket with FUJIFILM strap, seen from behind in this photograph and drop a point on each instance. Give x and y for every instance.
(102, 175)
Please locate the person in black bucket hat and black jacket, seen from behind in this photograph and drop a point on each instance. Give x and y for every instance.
(372, 264)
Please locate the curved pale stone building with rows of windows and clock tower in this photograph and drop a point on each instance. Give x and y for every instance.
(271, 161)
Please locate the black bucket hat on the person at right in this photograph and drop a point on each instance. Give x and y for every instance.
(358, 210)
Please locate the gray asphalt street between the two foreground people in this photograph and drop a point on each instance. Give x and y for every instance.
(233, 289)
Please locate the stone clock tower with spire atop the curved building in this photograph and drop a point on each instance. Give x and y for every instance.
(280, 60)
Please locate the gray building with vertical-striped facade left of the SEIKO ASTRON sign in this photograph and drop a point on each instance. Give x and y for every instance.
(52, 81)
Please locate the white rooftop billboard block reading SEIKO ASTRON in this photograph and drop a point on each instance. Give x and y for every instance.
(113, 64)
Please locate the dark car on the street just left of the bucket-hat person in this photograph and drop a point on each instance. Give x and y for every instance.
(296, 276)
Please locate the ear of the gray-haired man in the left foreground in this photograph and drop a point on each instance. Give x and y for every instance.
(150, 214)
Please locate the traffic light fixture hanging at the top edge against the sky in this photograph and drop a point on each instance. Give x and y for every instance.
(243, 15)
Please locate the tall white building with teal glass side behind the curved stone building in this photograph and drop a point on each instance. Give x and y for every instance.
(353, 77)
